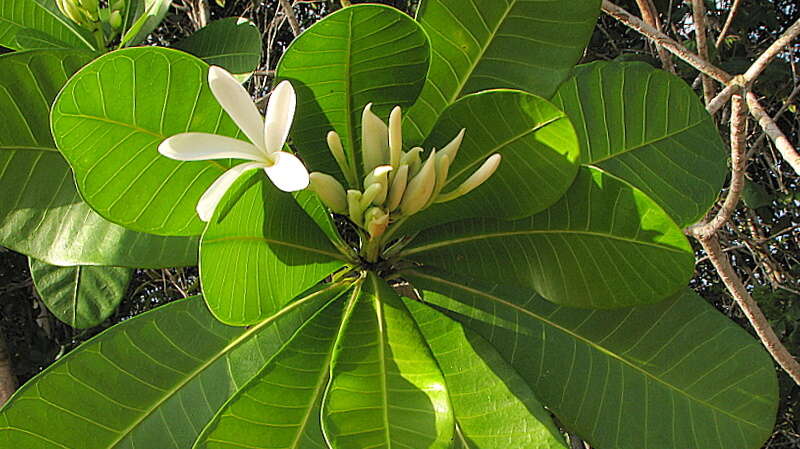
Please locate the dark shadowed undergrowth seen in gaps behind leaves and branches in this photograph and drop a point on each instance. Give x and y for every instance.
(763, 232)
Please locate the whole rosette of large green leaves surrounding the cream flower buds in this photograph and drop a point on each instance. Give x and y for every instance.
(555, 289)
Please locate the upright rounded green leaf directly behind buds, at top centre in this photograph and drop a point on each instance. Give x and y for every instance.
(358, 55)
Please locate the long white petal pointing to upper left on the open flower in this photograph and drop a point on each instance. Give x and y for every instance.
(237, 103)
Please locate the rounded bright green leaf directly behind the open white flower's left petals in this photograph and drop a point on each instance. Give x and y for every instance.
(108, 121)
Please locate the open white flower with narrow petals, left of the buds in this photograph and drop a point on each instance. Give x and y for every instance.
(268, 136)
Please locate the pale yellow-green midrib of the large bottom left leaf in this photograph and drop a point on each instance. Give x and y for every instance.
(246, 335)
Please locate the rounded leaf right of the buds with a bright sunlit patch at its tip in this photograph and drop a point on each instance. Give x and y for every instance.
(539, 156)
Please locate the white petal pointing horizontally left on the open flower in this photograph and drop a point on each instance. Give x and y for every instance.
(203, 146)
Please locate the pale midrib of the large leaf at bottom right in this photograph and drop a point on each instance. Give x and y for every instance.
(585, 340)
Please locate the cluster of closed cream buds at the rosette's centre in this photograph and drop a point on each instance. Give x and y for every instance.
(398, 183)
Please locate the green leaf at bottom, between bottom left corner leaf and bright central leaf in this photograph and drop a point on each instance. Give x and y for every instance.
(281, 405)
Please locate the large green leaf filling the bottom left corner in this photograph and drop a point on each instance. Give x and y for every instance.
(151, 382)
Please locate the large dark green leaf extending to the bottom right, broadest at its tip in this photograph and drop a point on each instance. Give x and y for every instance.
(676, 374)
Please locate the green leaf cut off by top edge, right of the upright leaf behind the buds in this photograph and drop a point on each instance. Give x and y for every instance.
(484, 44)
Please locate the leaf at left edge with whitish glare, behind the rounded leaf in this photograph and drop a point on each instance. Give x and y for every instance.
(42, 214)
